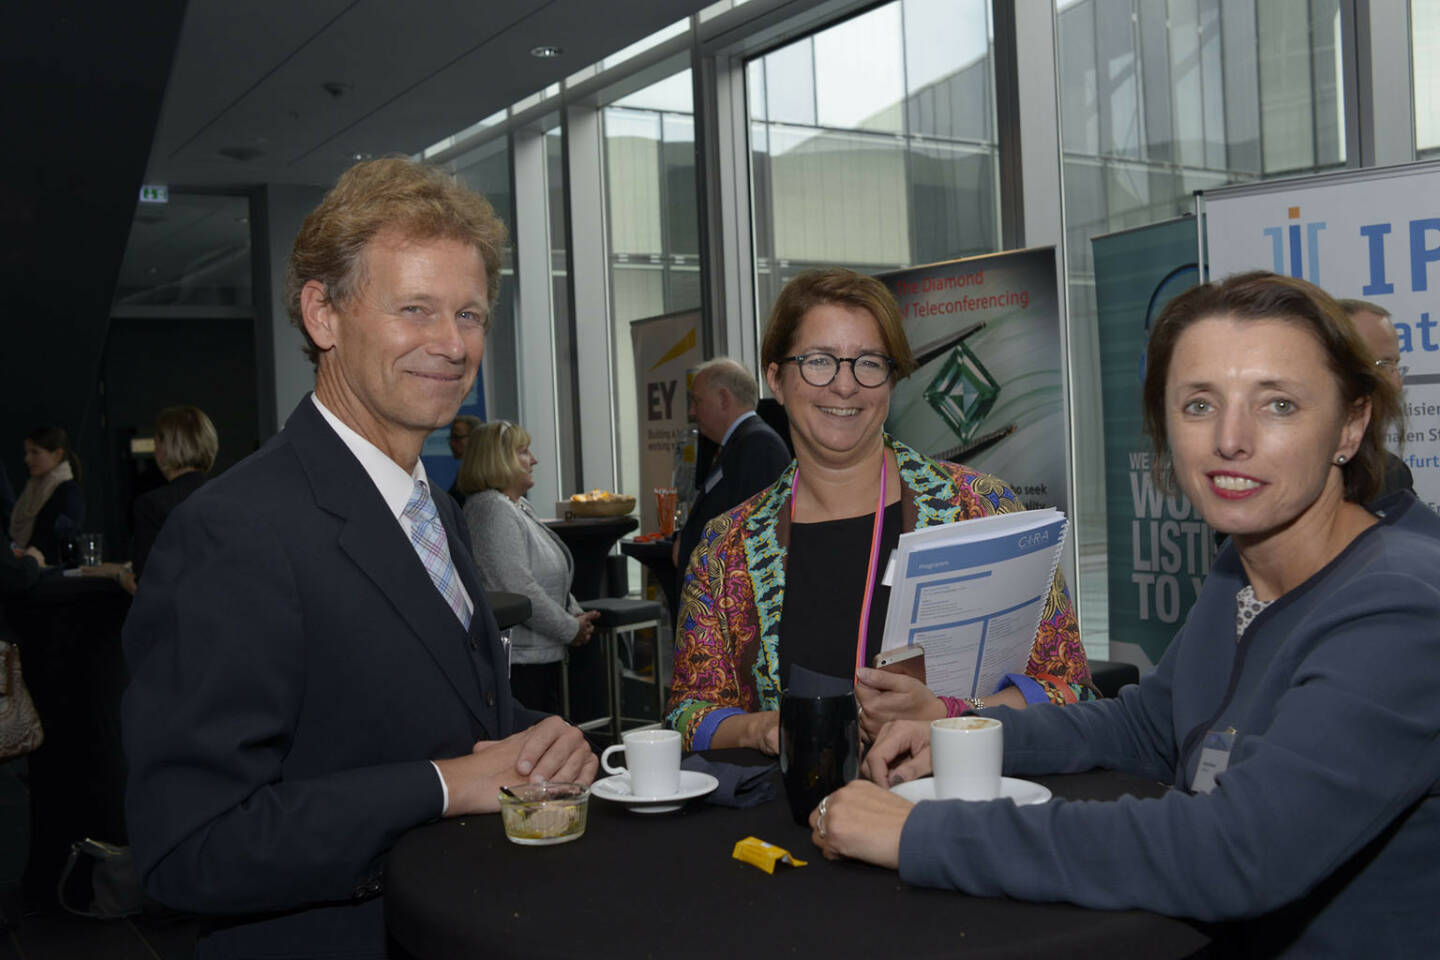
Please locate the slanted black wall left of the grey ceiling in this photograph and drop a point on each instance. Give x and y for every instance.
(84, 84)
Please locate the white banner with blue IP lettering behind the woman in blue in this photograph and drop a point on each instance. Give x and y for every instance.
(1367, 234)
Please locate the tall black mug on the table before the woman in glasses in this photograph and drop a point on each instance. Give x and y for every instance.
(820, 749)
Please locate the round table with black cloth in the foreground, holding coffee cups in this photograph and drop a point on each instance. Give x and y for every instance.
(666, 886)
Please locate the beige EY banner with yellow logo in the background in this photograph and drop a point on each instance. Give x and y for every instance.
(665, 349)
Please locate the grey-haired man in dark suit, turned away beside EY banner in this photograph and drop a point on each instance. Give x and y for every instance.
(751, 457)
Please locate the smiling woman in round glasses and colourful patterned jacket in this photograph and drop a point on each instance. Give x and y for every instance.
(791, 578)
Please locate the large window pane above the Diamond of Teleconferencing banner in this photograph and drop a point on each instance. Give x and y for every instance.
(873, 143)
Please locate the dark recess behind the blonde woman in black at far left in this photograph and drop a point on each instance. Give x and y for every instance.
(158, 363)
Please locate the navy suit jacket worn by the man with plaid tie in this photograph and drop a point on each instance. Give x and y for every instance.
(293, 673)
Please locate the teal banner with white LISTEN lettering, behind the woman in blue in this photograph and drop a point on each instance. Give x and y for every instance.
(1160, 549)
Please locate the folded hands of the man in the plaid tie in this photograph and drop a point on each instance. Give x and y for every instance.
(551, 751)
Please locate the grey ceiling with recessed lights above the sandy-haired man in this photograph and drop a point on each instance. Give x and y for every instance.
(250, 78)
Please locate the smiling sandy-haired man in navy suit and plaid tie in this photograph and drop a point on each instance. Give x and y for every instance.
(315, 666)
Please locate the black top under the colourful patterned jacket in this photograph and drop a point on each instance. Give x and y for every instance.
(824, 588)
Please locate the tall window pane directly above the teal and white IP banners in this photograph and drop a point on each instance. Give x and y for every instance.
(1160, 99)
